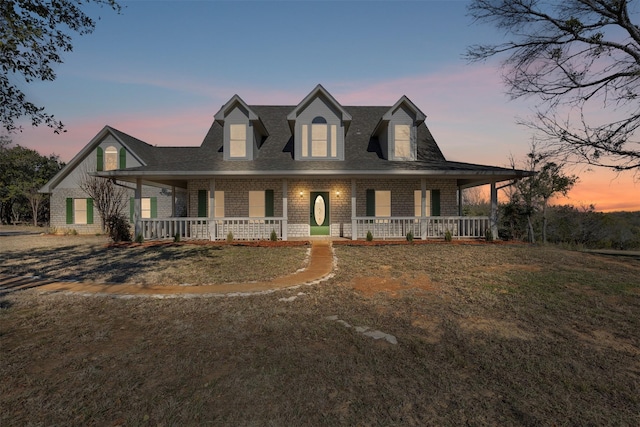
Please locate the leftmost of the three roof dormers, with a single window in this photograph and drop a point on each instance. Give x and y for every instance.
(243, 131)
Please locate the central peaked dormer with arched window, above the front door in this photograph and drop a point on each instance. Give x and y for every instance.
(319, 124)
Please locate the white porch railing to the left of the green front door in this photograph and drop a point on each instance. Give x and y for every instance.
(207, 228)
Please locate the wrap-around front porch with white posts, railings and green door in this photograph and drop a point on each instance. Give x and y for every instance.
(302, 208)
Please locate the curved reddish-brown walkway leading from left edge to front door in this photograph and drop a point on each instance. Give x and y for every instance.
(320, 268)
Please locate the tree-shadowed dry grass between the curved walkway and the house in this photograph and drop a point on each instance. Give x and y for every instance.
(89, 258)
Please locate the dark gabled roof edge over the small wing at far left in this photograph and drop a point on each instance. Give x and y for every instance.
(142, 151)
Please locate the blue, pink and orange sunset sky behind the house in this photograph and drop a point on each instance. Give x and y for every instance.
(160, 71)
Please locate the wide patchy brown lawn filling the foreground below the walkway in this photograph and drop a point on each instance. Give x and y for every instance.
(486, 335)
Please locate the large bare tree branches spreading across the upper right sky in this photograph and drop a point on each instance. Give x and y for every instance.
(581, 59)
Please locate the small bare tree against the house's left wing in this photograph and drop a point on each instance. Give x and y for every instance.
(109, 198)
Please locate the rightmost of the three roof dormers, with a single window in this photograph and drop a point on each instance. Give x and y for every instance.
(397, 131)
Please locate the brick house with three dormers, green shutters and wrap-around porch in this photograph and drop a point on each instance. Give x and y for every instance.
(316, 168)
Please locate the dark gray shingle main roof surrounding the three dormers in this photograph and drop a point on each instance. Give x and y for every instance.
(362, 152)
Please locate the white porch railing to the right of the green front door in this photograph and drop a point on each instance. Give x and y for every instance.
(460, 227)
